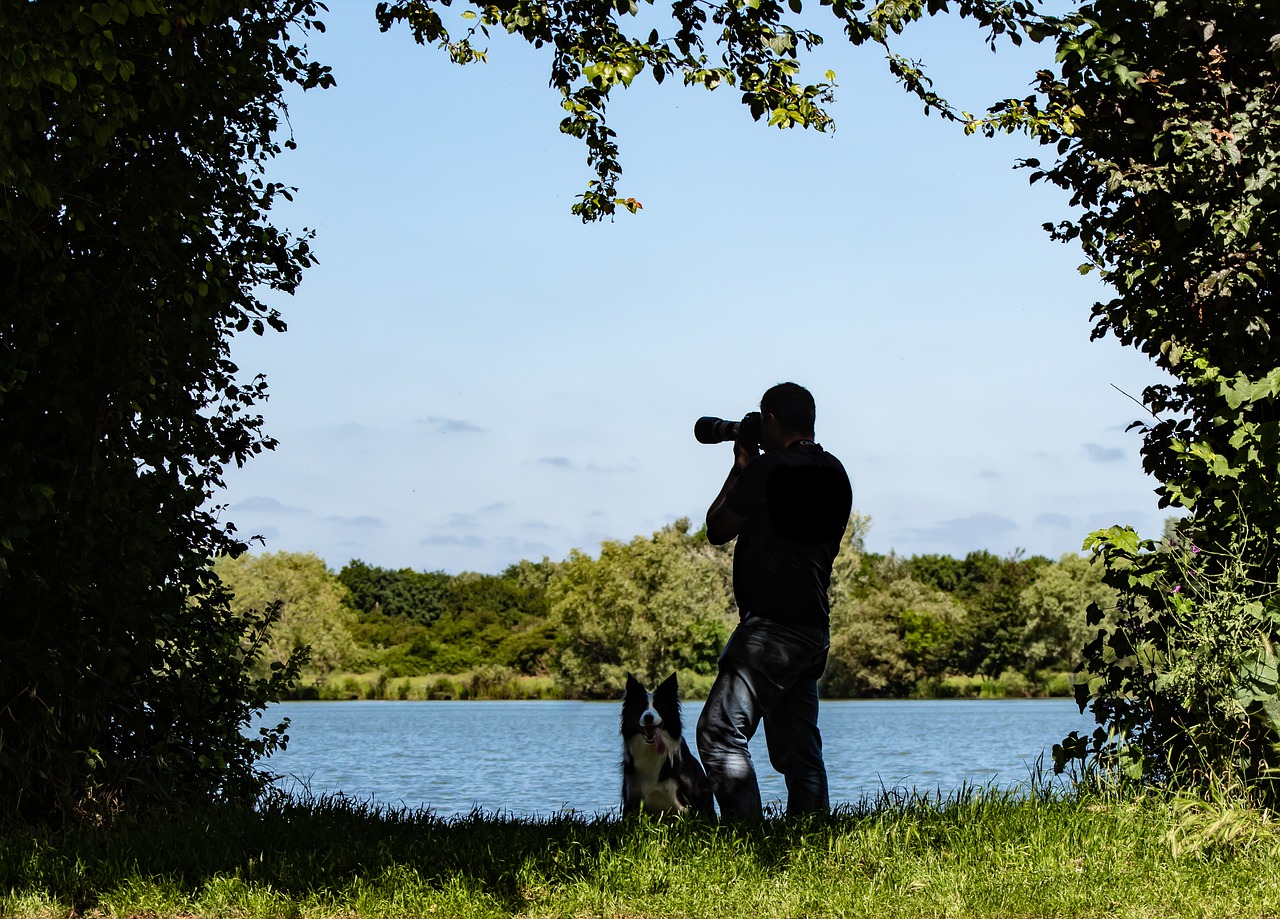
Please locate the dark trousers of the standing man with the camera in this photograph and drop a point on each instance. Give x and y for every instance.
(767, 671)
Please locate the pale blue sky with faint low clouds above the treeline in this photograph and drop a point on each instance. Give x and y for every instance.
(472, 377)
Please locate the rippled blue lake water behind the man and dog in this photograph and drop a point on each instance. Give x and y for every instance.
(533, 758)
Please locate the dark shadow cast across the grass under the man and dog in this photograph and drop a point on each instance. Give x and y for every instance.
(333, 848)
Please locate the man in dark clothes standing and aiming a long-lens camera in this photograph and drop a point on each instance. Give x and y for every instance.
(789, 509)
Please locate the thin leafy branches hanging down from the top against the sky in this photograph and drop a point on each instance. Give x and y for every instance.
(597, 47)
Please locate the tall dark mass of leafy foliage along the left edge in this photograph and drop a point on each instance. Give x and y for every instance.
(134, 243)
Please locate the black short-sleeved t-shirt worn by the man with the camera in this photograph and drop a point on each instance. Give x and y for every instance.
(797, 504)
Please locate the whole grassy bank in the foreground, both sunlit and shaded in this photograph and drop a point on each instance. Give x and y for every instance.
(977, 854)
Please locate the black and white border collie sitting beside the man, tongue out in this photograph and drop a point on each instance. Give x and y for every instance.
(659, 771)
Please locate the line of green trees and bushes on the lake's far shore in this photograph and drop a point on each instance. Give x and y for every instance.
(920, 627)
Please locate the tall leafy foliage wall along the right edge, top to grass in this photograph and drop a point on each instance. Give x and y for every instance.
(1165, 124)
